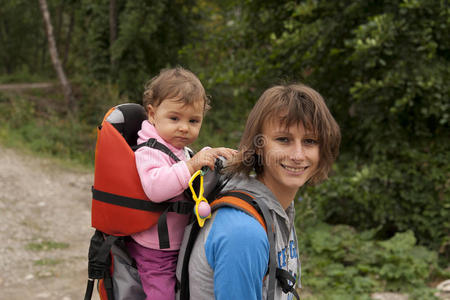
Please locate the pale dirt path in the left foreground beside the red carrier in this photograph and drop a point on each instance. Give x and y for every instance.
(44, 228)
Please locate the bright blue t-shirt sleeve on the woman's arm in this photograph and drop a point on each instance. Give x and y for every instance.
(237, 249)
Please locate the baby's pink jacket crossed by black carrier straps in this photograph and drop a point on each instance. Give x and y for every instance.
(161, 179)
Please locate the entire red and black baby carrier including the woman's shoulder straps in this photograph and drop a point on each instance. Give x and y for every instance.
(121, 208)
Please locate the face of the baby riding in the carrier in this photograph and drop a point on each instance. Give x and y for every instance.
(177, 123)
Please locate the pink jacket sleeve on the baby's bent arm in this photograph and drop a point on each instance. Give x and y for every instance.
(160, 180)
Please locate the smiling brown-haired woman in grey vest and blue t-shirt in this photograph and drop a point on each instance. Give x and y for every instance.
(290, 139)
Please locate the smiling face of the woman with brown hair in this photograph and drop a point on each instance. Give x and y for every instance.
(290, 157)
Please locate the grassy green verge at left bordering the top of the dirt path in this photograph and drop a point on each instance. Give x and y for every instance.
(38, 127)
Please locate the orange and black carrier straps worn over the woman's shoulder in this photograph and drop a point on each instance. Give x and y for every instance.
(246, 203)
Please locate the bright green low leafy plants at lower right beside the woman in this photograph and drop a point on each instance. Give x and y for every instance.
(339, 261)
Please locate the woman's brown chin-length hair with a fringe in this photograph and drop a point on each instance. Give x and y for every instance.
(289, 104)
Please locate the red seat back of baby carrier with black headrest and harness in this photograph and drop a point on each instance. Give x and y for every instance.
(119, 205)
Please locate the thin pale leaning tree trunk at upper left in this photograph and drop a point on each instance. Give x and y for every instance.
(67, 89)
